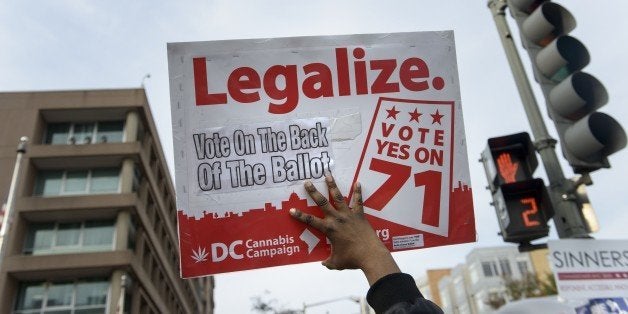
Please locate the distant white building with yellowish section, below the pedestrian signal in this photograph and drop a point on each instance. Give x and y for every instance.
(469, 286)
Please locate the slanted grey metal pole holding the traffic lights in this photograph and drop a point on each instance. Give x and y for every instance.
(567, 218)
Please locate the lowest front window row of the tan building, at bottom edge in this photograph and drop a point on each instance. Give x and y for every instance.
(69, 297)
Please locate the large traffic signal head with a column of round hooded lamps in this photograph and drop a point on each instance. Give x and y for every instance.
(587, 137)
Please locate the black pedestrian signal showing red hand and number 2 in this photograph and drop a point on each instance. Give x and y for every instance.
(521, 202)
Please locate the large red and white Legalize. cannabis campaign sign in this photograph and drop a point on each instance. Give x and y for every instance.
(253, 119)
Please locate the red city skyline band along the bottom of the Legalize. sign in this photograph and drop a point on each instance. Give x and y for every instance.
(271, 222)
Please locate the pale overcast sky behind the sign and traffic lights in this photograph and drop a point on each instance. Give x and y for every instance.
(65, 44)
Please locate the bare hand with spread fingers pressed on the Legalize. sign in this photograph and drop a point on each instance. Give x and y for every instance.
(354, 243)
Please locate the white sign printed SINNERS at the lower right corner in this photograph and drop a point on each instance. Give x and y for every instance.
(588, 269)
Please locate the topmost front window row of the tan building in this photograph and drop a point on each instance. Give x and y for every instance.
(84, 133)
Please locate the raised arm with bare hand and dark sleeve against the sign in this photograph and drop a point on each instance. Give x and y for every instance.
(355, 245)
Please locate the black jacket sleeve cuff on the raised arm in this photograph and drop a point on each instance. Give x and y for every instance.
(398, 294)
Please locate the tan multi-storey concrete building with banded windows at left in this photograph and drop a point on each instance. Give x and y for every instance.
(94, 222)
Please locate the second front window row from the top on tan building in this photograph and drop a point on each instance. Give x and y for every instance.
(73, 182)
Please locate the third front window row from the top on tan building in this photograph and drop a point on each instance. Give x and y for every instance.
(59, 238)
